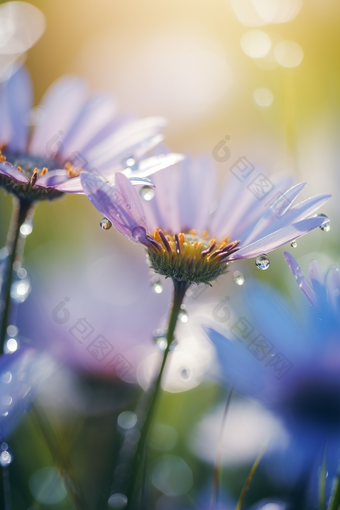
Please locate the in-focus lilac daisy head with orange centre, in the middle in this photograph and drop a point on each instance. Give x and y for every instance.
(187, 243)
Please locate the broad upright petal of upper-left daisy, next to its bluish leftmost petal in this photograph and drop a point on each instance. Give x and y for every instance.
(60, 105)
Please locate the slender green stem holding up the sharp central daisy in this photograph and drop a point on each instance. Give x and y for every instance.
(180, 289)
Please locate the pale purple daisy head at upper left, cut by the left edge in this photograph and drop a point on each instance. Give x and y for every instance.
(73, 132)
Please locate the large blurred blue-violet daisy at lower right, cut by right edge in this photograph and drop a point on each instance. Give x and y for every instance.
(292, 365)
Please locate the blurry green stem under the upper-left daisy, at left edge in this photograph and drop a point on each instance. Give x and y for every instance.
(21, 209)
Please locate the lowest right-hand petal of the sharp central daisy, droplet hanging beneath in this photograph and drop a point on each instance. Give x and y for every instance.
(278, 238)
